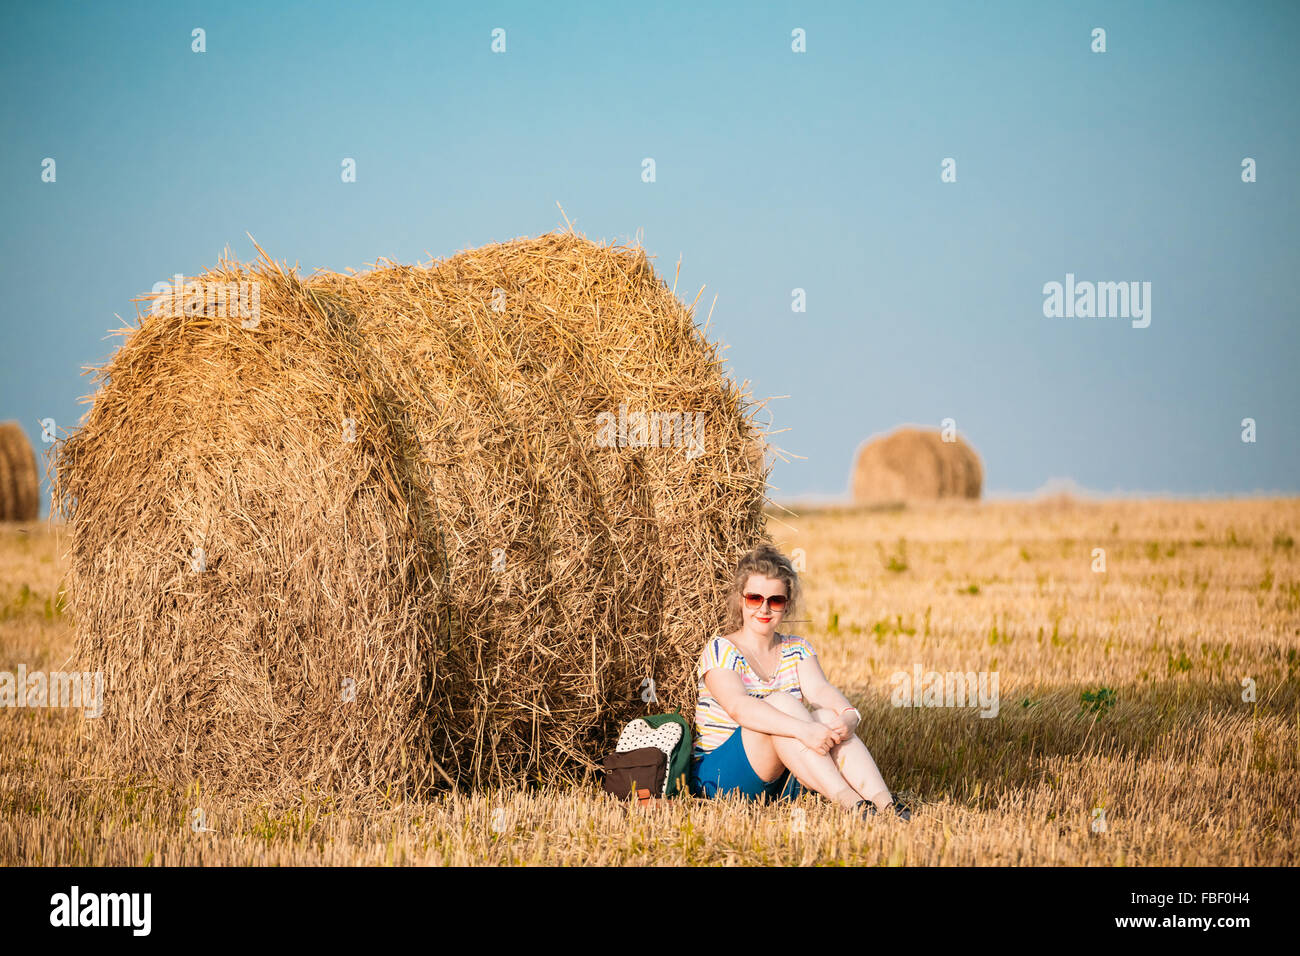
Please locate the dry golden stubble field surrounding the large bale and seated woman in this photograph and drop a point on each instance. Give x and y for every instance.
(1195, 598)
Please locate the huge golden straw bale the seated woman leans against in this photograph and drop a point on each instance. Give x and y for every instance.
(440, 539)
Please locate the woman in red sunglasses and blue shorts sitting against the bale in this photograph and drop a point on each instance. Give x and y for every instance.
(755, 733)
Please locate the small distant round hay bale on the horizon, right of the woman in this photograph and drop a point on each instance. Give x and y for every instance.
(916, 465)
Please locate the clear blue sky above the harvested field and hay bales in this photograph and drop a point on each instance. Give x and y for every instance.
(775, 171)
